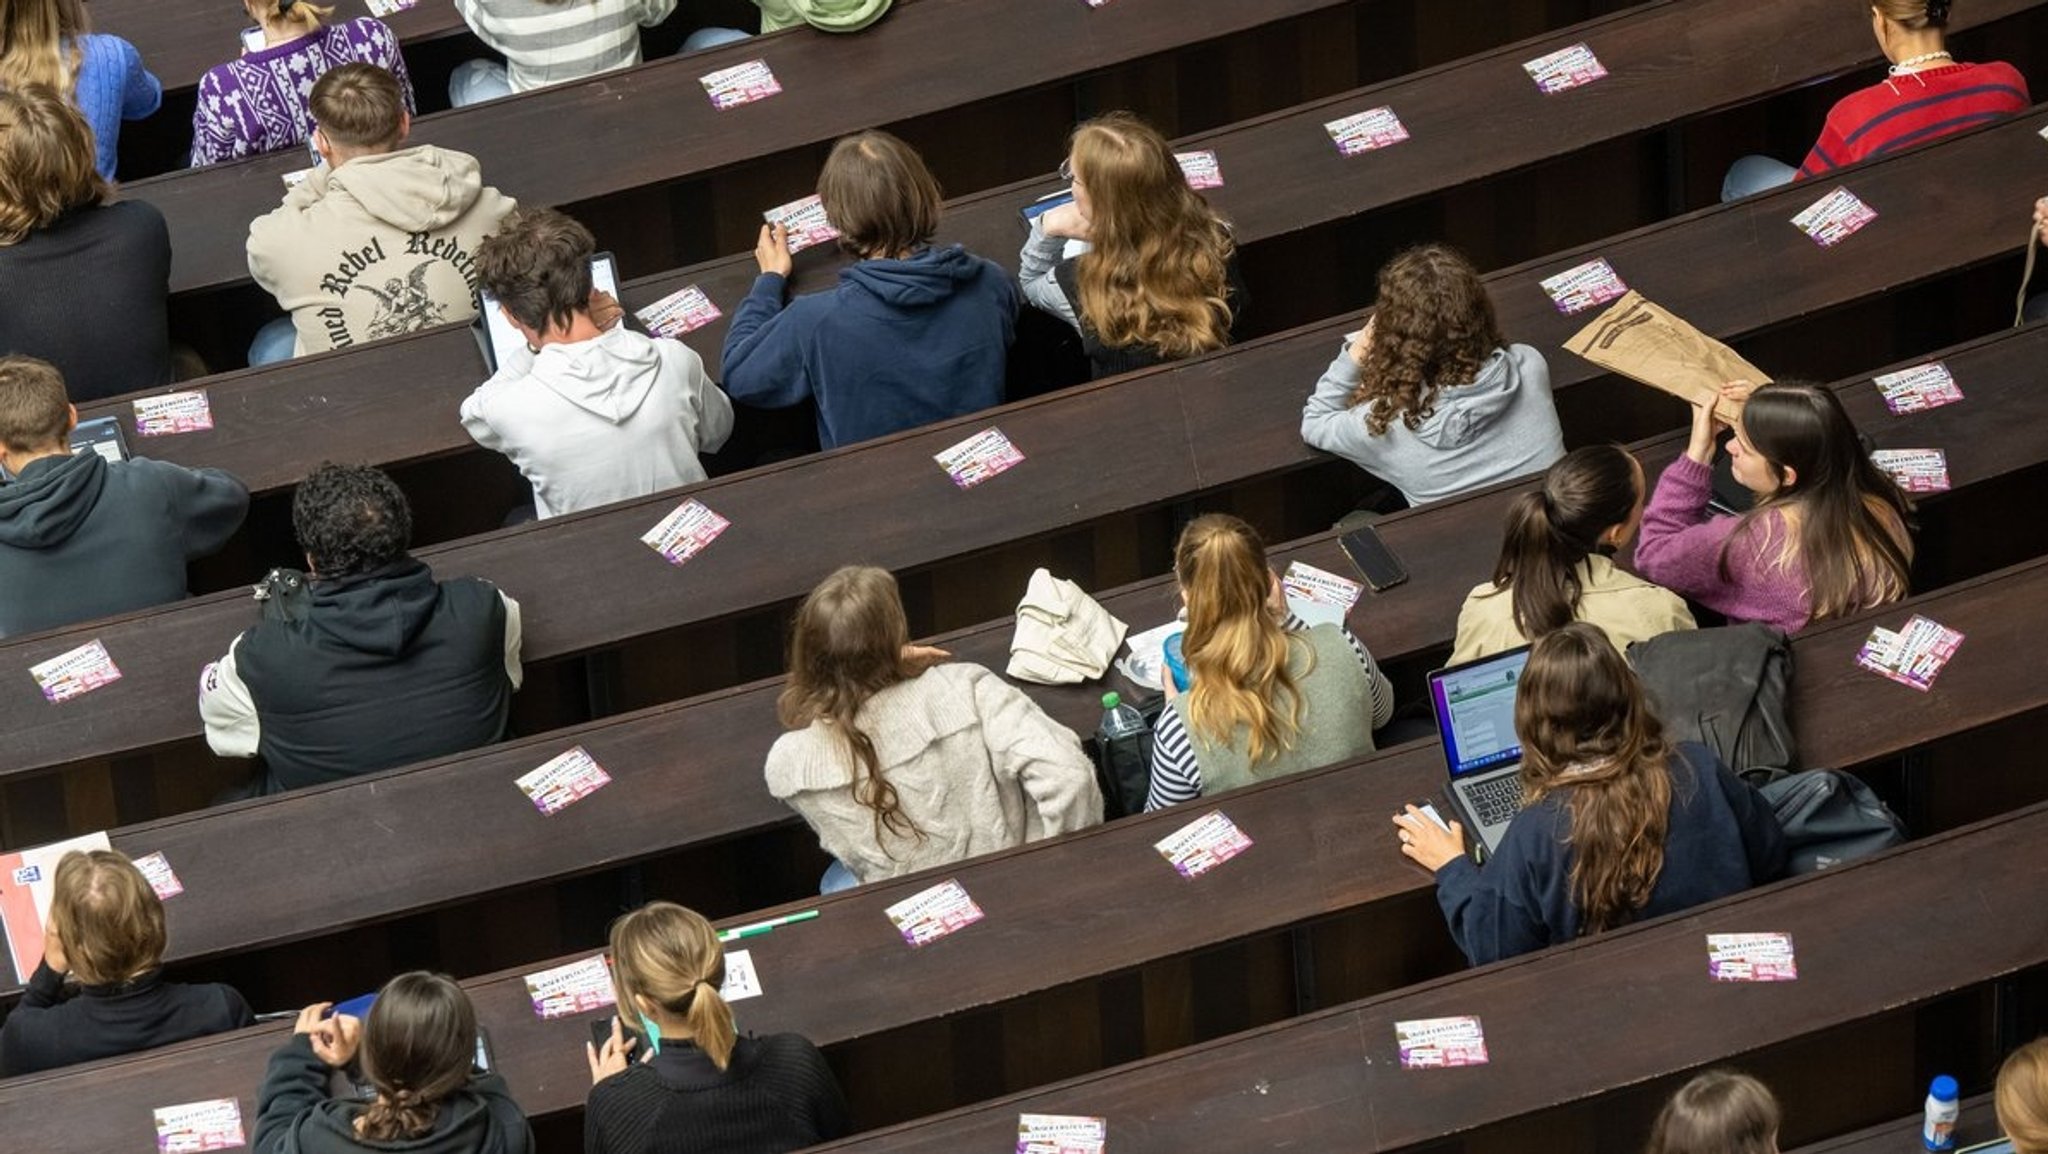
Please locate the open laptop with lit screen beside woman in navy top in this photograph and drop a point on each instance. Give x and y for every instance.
(1476, 714)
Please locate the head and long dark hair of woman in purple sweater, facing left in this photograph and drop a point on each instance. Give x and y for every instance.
(1799, 452)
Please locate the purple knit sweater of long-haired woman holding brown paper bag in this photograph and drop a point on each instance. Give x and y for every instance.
(1682, 544)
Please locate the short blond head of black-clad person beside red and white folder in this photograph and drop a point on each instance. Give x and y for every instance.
(105, 921)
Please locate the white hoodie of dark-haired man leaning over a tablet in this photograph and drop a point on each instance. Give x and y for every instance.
(599, 421)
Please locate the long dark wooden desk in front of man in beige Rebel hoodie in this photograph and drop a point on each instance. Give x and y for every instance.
(591, 138)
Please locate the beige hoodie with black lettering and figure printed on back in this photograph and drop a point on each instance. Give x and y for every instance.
(378, 247)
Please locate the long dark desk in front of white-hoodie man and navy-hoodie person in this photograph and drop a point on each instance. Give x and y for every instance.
(1281, 177)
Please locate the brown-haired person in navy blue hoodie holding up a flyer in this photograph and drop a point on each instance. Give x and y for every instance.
(910, 335)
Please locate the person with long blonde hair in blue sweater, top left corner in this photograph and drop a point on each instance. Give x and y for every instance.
(50, 42)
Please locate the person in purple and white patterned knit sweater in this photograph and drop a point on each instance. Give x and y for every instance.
(259, 104)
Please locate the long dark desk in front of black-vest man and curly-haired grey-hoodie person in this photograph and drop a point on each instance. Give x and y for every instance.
(1101, 450)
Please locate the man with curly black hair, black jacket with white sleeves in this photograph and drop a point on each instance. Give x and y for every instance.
(366, 661)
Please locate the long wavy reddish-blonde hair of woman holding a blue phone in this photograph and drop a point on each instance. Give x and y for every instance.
(1158, 267)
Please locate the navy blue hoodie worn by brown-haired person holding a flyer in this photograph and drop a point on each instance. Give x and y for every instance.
(896, 345)
